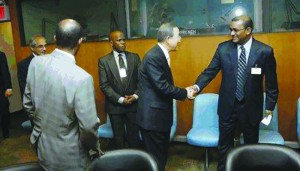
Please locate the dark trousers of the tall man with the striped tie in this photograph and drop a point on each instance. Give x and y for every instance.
(227, 131)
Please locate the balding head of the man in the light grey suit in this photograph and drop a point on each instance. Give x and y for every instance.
(68, 33)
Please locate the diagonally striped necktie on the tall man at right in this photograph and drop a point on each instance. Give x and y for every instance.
(241, 75)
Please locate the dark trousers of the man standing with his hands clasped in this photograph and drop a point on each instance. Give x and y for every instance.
(124, 127)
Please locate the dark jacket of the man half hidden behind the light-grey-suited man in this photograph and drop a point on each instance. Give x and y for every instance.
(22, 72)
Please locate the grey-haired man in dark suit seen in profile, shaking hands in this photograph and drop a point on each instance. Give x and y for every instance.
(156, 94)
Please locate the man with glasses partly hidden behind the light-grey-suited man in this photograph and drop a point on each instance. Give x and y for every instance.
(38, 47)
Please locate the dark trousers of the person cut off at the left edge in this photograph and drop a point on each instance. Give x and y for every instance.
(4, 116)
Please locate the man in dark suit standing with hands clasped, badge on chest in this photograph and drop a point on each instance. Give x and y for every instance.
(118, 81)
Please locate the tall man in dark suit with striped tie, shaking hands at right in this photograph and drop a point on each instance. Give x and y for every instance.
(245, 63)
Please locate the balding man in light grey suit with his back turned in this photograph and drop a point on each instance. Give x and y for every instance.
(59, 96)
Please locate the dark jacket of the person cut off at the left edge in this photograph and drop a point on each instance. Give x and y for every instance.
(5, 80)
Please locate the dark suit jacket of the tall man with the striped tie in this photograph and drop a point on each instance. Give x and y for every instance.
(226, 60)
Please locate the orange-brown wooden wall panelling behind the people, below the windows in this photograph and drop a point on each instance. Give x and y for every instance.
(191, 57)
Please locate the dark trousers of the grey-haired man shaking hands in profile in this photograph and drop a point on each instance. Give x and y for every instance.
(157, 144)
